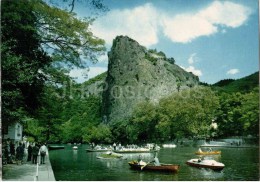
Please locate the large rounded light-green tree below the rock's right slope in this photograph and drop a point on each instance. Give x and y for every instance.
(187, 113)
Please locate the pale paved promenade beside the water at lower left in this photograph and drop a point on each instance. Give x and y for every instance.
(28, 172)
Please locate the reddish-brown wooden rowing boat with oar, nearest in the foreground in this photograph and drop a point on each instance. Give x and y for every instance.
(152, 167)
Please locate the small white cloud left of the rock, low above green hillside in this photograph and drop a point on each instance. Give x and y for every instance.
(81, 75)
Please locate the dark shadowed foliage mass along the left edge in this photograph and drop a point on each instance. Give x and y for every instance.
(22, 61)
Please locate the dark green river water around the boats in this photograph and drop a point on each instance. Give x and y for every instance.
(79, 165)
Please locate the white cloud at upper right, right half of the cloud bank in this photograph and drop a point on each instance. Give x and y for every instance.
(184, 28)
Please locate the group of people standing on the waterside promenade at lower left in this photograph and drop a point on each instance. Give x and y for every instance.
(18, 155)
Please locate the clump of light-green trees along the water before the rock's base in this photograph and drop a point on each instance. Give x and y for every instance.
(187, 113)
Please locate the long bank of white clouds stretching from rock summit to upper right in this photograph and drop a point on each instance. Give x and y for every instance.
(144, 23)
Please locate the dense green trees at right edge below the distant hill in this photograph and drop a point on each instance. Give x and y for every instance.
(238, 114)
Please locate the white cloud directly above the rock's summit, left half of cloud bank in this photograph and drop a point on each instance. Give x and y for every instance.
(139, 23)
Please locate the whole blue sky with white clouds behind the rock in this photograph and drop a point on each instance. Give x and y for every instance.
(214, 40)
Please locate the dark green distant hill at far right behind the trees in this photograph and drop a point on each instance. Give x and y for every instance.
(244, 84)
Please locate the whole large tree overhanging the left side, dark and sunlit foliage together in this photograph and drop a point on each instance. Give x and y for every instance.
(40, 43)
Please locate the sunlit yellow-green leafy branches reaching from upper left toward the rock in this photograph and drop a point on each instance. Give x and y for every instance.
(65, 36)
